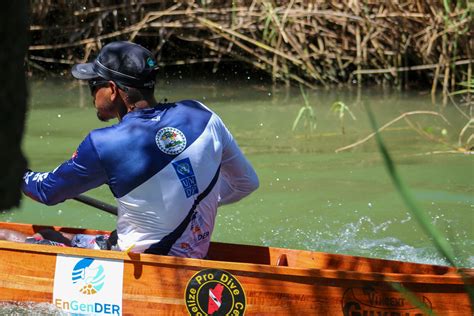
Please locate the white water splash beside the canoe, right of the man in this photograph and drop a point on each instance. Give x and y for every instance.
(361, 238)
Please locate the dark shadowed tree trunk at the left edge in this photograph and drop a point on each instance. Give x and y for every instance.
(13, 99)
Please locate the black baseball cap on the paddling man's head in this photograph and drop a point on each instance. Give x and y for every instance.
(126, 63)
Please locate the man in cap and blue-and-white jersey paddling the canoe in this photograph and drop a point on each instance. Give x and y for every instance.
(169, 165)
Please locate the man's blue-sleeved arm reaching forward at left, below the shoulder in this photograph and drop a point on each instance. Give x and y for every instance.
(80, 173)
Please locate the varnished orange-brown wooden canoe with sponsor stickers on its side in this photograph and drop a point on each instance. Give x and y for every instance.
(238, 279)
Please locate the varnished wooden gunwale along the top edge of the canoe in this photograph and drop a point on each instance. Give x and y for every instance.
(268, 269)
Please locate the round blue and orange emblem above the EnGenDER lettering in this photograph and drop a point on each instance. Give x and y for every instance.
(88, 276)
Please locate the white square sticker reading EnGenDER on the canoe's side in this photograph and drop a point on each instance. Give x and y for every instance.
(88, 286)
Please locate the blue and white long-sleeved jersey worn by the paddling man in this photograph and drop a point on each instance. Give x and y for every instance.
(157, 162)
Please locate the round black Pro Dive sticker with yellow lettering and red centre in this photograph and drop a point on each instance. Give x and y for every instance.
(214, 292)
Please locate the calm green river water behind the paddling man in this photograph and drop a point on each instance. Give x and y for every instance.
(310, 197)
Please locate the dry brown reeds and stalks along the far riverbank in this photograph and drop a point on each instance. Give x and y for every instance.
(320, 43)
